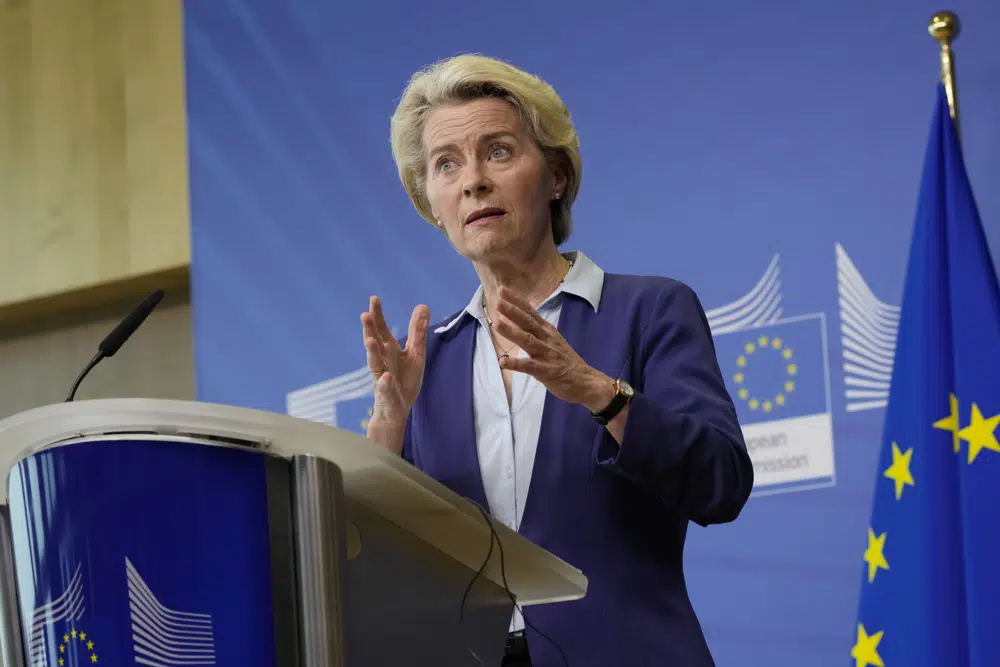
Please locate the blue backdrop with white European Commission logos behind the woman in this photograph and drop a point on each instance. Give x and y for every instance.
(767, 155)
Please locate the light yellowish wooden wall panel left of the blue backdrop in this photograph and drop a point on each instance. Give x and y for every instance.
(93, 159)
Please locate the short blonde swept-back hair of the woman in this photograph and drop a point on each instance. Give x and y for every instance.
(467, 77)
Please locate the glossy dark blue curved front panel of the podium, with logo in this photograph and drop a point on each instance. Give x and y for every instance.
(144, 551)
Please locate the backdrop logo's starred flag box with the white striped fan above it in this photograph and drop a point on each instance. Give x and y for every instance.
(777, 372)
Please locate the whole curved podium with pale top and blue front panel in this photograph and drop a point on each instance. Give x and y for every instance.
(162, 533)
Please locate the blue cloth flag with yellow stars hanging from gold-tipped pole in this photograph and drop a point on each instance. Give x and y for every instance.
(931, 578)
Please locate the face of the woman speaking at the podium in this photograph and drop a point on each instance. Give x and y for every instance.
(488, 184)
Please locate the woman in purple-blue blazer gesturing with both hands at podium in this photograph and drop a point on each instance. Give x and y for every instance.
(586, 410)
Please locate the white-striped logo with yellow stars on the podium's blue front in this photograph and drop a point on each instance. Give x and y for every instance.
(61, 635)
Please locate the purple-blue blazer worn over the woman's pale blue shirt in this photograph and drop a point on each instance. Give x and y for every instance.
(619, 514)
